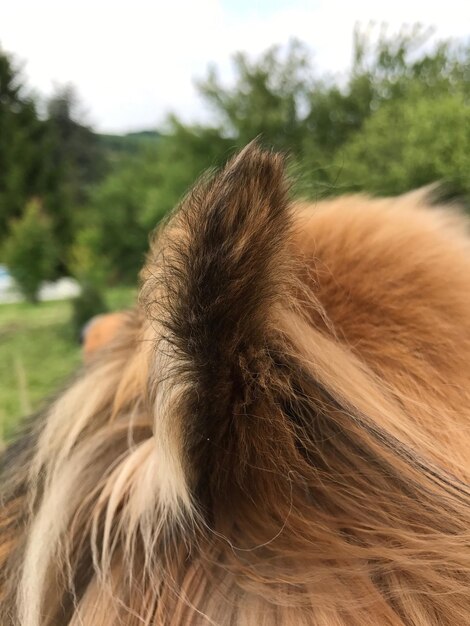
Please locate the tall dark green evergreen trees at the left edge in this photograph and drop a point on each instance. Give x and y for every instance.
(54, 159)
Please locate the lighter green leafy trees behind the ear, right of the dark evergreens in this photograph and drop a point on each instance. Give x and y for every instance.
(325, 123)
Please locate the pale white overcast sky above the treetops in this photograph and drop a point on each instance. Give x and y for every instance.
(134, 61)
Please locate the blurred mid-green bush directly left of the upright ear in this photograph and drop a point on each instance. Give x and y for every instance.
(133, 198)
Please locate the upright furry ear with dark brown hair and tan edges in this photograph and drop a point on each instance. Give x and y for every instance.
(213, 283)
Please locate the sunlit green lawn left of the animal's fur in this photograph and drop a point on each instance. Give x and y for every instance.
(38, 354)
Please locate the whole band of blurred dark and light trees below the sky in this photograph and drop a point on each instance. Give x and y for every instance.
(398, 119)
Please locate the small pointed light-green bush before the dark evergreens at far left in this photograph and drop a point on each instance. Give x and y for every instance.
(29, 251)
